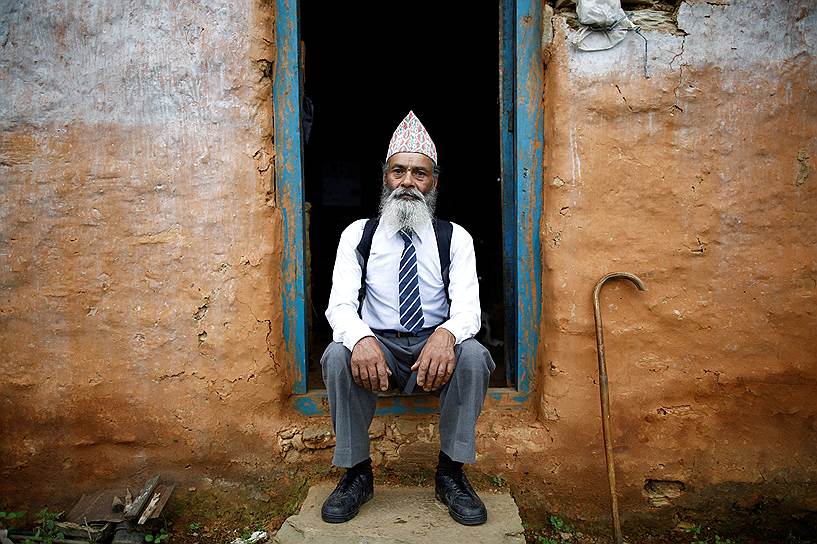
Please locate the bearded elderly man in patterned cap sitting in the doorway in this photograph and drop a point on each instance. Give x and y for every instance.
(404, 309)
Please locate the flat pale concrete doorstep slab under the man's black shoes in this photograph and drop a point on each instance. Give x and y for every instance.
(402, 515)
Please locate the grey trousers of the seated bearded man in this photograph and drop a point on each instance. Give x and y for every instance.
(352, 407)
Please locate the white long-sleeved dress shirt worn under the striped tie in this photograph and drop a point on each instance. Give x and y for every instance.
(380, 306)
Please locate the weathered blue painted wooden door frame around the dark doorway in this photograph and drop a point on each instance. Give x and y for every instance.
(522, 129)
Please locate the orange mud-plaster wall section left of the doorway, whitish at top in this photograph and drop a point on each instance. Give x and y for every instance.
(139, 244)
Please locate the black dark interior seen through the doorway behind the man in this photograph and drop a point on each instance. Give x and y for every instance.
(359, 80)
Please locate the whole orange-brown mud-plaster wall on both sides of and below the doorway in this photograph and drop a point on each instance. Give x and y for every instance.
(139, 213)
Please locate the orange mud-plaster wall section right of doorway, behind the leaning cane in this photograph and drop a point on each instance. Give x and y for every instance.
(699, 180)
